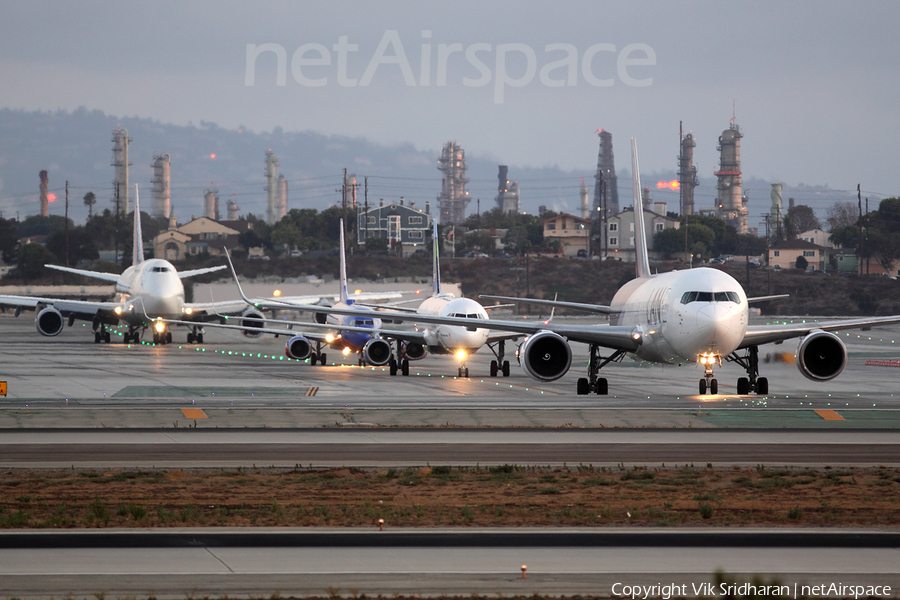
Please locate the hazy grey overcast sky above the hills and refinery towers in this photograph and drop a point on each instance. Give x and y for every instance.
(814, 85)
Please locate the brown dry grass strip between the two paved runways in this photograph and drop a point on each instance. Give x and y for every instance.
(505, 496)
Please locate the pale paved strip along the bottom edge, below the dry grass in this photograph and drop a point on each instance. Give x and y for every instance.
(203, 562)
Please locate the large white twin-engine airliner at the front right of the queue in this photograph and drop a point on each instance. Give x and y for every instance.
(697, 315)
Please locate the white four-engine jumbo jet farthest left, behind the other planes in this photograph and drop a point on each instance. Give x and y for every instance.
(148, 292)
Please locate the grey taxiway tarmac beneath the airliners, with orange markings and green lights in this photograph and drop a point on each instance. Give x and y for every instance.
(234, 381)
